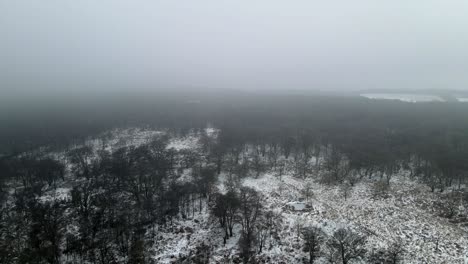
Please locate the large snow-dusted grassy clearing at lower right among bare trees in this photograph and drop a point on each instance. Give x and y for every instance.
(403, 217)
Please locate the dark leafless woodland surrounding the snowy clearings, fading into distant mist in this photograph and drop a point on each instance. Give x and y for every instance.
(122, 197)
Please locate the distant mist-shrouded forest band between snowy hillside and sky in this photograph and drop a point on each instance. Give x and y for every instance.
(58, 123)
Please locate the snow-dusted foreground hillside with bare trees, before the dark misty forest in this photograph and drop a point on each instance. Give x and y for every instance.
(159, 196)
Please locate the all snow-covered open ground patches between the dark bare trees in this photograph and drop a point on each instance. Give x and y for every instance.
(407, 215)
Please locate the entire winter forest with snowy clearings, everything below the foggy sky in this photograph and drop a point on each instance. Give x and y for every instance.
(239, 179)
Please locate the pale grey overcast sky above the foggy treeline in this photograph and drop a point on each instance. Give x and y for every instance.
(255, 44)
